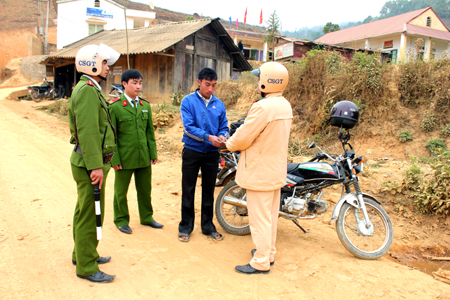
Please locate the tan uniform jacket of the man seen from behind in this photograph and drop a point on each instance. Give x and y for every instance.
(263, 140)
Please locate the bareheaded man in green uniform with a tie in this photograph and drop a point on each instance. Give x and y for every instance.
(136, 152)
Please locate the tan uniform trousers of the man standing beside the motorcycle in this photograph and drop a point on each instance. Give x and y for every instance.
(263, 208)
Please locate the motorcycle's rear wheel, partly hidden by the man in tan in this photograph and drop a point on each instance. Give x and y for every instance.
(232, 218)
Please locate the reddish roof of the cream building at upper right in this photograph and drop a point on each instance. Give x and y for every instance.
(387, 26)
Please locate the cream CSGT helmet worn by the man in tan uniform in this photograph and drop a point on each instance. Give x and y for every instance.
(273, 77)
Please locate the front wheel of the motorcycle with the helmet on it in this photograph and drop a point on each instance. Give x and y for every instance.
(365, 242)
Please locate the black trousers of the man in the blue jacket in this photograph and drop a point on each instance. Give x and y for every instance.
(194, 161)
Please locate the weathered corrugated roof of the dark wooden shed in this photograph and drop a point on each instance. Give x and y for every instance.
(153, 39)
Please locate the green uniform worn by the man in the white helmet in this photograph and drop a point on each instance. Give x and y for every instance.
(92, 127)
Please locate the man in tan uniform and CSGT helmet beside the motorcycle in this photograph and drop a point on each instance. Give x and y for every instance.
(263, 140)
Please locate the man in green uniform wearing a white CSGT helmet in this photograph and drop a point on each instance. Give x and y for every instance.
(94, 138)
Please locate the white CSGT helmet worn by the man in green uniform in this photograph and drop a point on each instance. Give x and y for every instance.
(89, 58)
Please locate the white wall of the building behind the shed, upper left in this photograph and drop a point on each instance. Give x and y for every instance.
(73, 23)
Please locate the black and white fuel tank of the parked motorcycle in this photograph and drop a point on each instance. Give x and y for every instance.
(316, 170)
